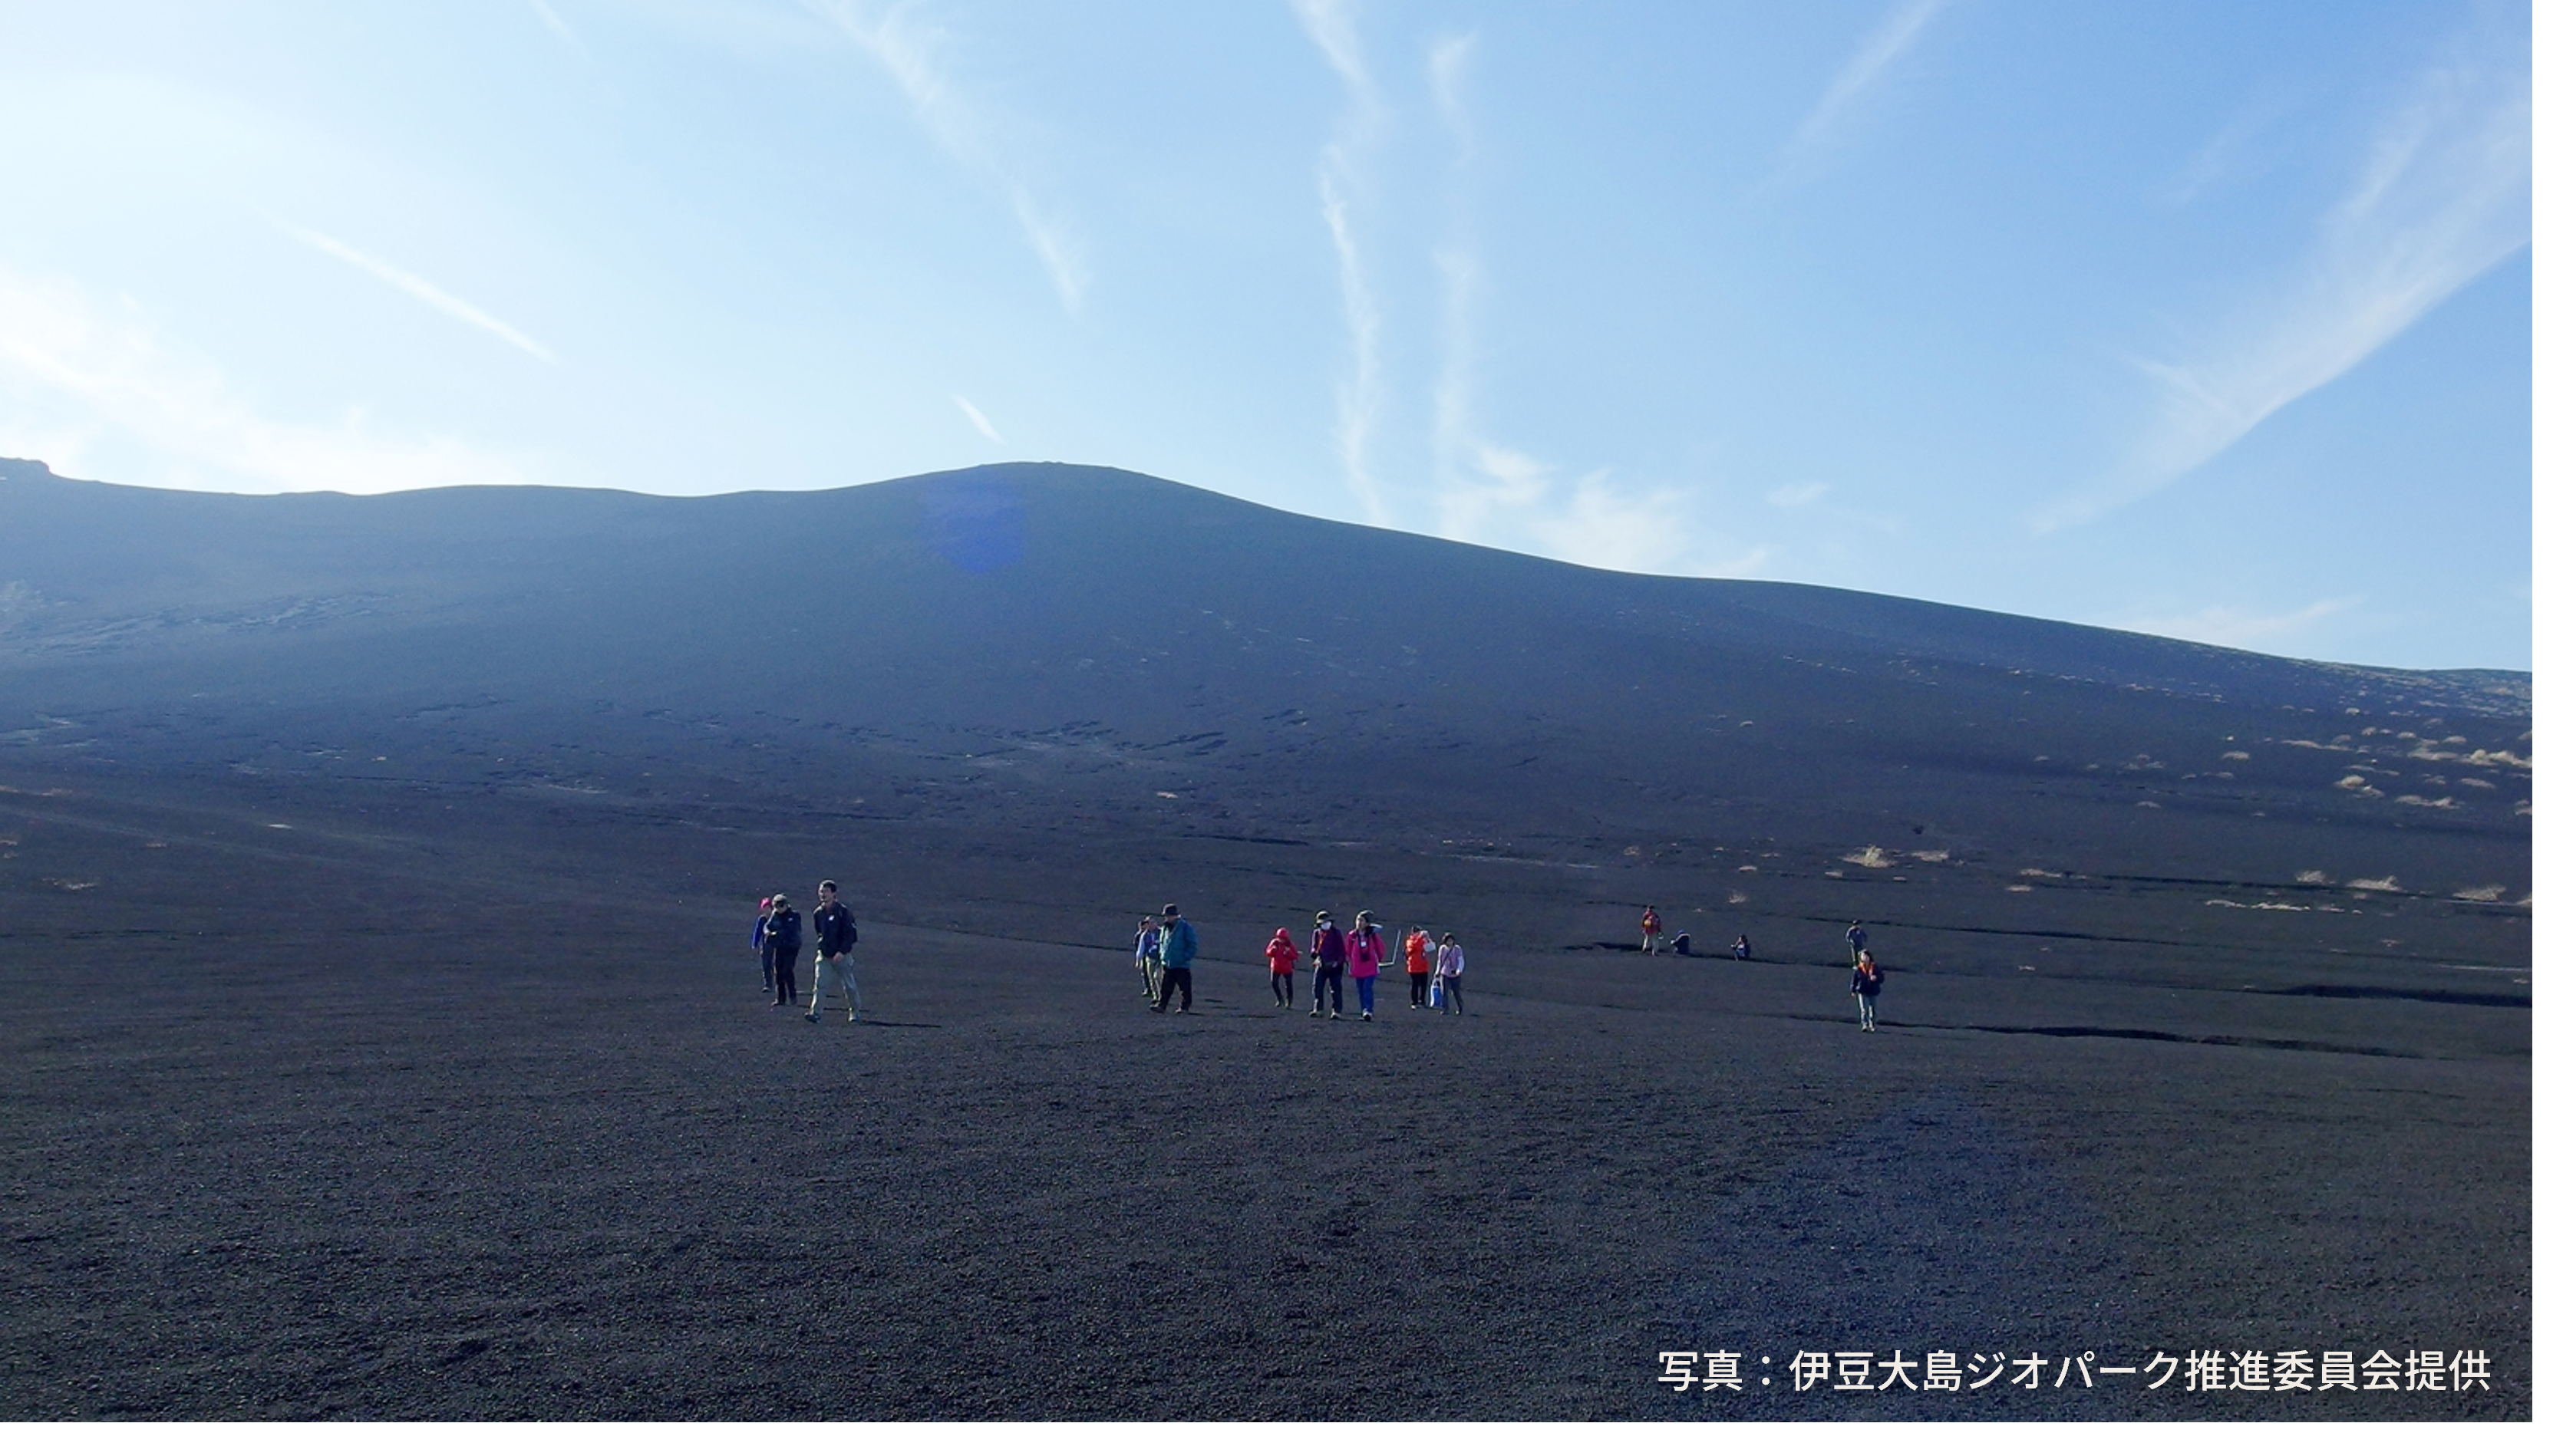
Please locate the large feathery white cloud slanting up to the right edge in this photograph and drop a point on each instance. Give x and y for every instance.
(2439, 201)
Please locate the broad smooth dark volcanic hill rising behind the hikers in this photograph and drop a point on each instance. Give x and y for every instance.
(1076, 645)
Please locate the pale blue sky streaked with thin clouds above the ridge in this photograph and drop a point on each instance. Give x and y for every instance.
(2182, 318)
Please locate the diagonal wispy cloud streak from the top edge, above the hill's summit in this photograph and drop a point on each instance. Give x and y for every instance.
(913, 50)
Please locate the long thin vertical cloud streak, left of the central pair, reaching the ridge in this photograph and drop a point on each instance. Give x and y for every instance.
(1362, 392)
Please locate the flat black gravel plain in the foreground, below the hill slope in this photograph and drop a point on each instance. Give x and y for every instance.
(338, 1133)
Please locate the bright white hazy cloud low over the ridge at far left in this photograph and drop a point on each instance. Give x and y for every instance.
(98, 390)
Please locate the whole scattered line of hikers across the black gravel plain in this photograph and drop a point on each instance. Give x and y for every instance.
(1165, 952)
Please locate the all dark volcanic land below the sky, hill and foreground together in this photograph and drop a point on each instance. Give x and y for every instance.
(384, 1036)
